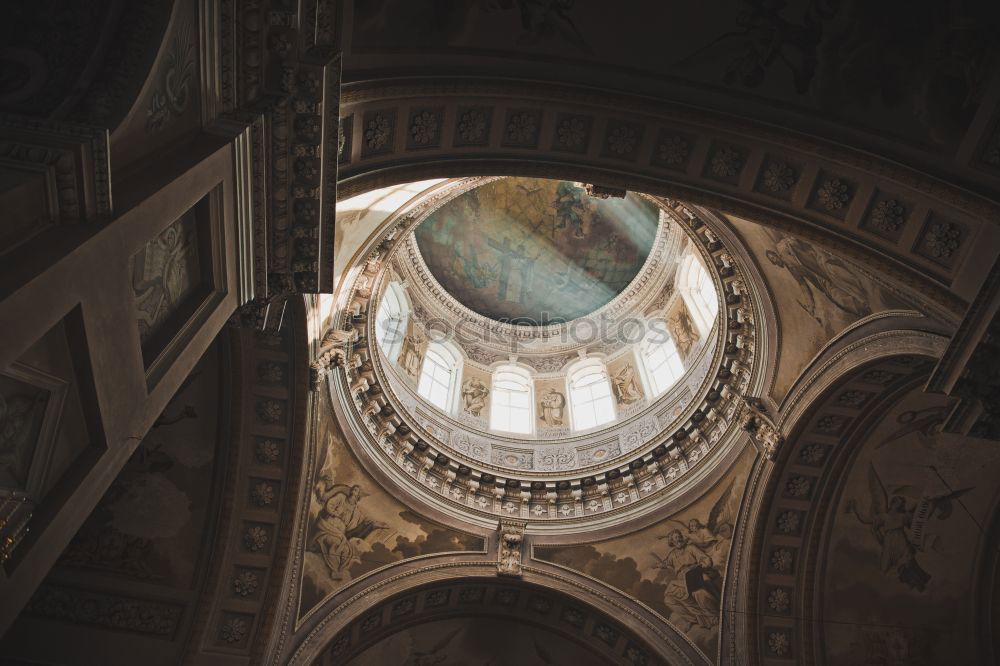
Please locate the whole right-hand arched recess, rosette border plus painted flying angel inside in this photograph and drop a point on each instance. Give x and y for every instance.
(854, 536)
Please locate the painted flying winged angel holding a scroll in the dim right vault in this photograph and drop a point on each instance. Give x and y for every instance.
(900, 525)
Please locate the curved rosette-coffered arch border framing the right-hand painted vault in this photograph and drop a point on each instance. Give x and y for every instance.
(769, 583)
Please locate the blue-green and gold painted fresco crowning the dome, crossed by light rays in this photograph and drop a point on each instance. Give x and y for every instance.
(531, 251)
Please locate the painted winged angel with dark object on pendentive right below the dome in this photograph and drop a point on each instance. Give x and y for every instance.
(693, 566)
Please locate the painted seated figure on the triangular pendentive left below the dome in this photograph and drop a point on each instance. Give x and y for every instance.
(340, 525)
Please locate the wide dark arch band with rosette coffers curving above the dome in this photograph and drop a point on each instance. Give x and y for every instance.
(918, 229)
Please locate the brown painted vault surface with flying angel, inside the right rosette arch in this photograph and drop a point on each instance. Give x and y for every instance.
(907, 531)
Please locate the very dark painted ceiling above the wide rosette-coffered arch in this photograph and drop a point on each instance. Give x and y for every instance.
(844, 60)
